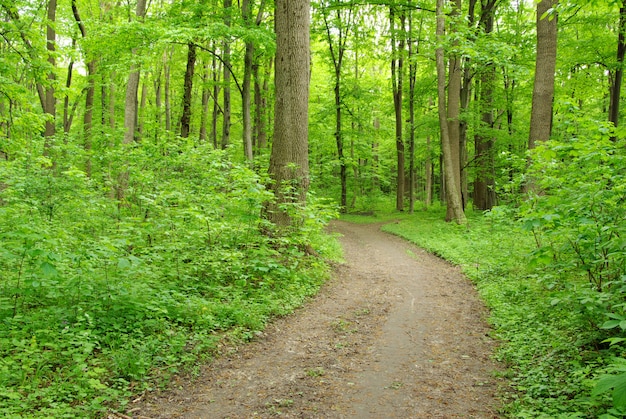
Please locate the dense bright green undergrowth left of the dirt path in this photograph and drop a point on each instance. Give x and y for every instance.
(102, 298)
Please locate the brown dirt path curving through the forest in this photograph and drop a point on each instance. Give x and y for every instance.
(397, 333)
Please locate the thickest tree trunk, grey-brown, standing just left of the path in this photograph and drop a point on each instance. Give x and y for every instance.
(289, 165)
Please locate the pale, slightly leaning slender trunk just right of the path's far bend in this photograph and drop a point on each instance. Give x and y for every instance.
(451, 166)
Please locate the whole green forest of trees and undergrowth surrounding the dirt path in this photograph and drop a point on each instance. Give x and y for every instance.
(168, 167)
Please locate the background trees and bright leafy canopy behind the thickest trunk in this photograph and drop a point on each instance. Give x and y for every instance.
(204, 71)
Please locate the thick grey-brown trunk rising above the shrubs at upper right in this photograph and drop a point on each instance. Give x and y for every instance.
(545, 67)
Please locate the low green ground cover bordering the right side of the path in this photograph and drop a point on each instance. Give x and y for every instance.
(548, 321)
